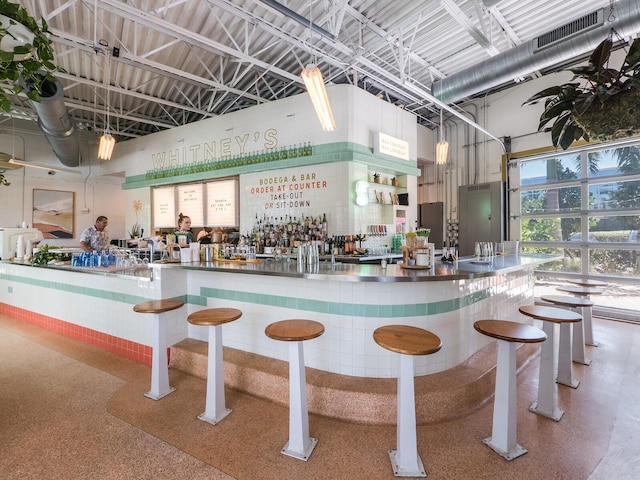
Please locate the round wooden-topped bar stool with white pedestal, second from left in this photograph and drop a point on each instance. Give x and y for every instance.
(214, 318)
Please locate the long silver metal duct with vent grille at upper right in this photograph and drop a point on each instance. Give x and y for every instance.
(570, 41)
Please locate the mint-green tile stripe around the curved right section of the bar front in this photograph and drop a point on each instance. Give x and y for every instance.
(348, 309)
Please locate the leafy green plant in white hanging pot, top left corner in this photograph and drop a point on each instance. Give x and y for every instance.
(30, 60)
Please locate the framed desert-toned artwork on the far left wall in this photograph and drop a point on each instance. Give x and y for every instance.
(53, 213)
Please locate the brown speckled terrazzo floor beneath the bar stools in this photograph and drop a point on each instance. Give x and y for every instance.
(69, 410)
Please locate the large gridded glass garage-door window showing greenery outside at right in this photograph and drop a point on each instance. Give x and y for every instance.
(584, 206)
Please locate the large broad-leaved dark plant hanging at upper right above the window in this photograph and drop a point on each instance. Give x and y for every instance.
(602, 106)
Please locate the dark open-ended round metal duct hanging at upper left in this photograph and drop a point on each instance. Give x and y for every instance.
(55, 122)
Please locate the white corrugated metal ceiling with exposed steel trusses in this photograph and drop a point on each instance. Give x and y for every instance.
(181, 61)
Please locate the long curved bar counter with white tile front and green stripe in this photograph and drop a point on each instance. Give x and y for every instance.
(350, 300)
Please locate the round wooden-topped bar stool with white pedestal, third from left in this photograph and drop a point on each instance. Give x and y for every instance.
(295, 331)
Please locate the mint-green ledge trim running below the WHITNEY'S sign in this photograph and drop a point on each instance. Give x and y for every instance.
(322, 154)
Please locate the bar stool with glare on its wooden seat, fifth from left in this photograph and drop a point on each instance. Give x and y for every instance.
(505, 417)
